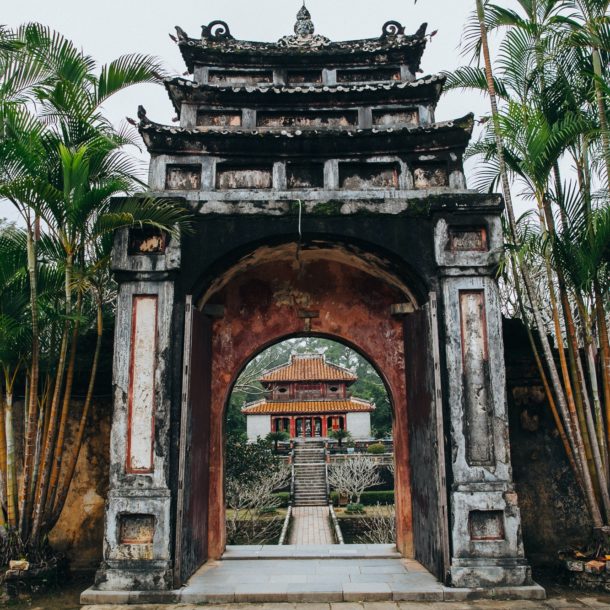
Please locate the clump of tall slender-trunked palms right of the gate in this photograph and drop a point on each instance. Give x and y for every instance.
(550, 108)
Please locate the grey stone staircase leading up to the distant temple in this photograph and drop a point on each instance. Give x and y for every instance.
(309, 473)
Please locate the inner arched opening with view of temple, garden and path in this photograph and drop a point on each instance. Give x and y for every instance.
(309, 407)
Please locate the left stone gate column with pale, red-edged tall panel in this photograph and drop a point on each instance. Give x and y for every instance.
(138, 529)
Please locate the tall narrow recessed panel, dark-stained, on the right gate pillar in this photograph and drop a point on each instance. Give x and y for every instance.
(476, 395)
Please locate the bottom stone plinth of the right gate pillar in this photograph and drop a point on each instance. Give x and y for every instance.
(486, 573)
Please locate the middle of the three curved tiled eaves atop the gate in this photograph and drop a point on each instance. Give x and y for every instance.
(313, 88)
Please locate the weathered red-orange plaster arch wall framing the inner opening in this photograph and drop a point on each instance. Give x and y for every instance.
(282, 292)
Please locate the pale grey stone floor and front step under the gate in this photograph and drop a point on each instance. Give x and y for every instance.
(313, 580)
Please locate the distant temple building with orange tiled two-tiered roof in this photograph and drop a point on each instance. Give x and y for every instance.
(308, 397)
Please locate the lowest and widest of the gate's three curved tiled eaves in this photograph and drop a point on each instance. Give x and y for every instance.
(466, 122)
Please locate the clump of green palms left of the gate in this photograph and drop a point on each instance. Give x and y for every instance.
(61, 164)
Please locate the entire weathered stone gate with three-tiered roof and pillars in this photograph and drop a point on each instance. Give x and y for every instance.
(329, 203)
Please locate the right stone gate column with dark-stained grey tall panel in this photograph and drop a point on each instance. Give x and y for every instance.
(485, 528)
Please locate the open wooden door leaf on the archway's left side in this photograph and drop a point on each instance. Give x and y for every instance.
(193, 475)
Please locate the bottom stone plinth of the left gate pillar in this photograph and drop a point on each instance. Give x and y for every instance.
(134, 576)
